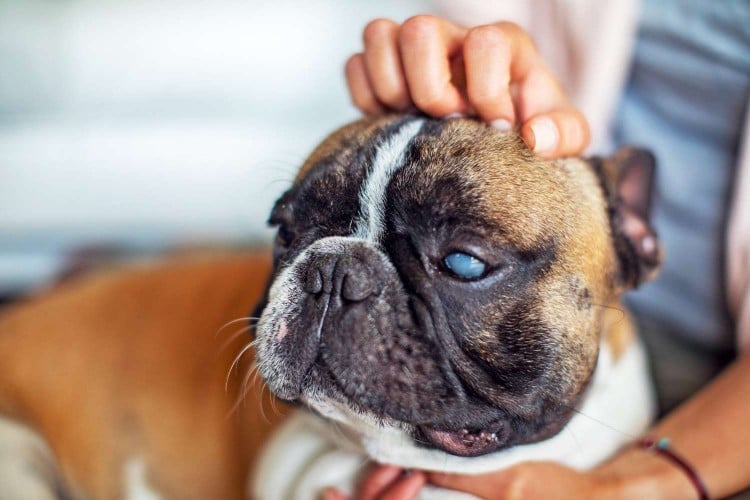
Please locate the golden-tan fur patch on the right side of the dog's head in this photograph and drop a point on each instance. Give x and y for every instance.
(537, 201)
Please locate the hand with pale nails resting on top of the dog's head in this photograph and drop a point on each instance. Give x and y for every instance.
(493, 71)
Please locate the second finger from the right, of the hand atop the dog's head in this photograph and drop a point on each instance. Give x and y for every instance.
(487, 56)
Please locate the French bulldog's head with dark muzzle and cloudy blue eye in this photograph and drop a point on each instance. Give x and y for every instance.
(437, 277)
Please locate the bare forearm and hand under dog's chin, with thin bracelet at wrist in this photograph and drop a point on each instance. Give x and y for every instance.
(710, 431)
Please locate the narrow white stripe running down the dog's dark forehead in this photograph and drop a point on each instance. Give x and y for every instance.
(389, 158)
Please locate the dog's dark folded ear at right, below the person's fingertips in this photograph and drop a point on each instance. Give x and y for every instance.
(627, 178)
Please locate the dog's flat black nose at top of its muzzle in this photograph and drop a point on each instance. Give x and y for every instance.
(342, 276)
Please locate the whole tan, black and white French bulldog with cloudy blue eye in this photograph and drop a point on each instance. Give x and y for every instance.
(439, 298)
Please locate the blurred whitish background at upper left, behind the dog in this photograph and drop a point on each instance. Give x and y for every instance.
(136, 126)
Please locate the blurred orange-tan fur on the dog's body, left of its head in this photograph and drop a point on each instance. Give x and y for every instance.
(127, 365)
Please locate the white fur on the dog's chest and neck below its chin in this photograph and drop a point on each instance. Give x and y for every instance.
(308, 454)
